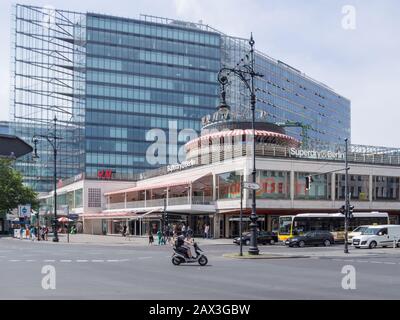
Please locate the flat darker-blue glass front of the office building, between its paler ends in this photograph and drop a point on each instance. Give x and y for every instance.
(142, 76)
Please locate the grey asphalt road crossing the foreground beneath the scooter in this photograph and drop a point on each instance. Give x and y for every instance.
(123, 272)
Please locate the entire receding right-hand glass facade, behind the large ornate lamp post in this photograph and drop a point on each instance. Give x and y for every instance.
(286, 94)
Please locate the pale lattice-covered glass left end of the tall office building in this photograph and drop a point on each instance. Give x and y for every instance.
(48, 80)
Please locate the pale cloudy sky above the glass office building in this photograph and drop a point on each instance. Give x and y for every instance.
(361, 64)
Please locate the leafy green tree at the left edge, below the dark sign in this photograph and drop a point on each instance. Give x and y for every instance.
(12, 190)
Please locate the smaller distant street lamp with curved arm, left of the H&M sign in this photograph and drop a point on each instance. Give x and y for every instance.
(52, 139)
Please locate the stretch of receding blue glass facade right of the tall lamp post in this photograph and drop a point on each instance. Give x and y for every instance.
(288, 95)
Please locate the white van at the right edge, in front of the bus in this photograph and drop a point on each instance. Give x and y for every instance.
(382, 236)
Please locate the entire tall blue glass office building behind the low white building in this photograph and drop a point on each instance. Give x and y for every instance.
(110, 81)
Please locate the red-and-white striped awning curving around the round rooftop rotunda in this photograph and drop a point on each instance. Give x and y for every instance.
(237, 132)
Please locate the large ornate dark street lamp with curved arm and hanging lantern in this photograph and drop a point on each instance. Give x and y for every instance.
(243, 73)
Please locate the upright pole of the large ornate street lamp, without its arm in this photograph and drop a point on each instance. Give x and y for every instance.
(253, 250)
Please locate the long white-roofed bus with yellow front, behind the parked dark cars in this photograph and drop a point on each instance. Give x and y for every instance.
(332, 222)
